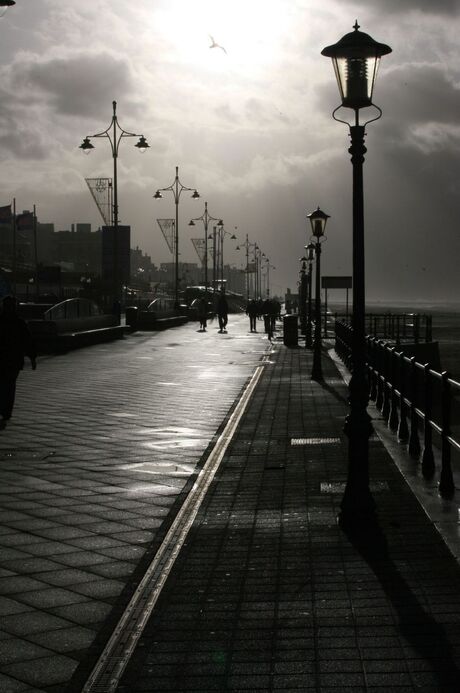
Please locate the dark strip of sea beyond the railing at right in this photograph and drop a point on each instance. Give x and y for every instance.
(445, 327)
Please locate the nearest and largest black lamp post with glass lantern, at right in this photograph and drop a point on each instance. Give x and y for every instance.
(356, 57)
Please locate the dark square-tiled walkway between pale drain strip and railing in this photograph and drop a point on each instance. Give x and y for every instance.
(268, 594)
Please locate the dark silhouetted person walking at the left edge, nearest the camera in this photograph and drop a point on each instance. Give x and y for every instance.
(16, 342)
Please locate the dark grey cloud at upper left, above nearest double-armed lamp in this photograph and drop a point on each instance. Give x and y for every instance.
(78, 86)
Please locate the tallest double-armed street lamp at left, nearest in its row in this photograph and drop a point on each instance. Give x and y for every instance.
(114, 133)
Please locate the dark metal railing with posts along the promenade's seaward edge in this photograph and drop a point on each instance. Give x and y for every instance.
(416, 401)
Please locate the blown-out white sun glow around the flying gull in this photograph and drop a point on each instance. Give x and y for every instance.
(249, 33)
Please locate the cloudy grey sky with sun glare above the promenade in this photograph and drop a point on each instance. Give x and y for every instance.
(250, 128)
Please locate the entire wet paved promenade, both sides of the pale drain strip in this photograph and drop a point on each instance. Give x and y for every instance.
(257, 588)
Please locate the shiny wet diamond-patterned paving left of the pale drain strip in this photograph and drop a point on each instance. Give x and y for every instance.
(101, 451)
